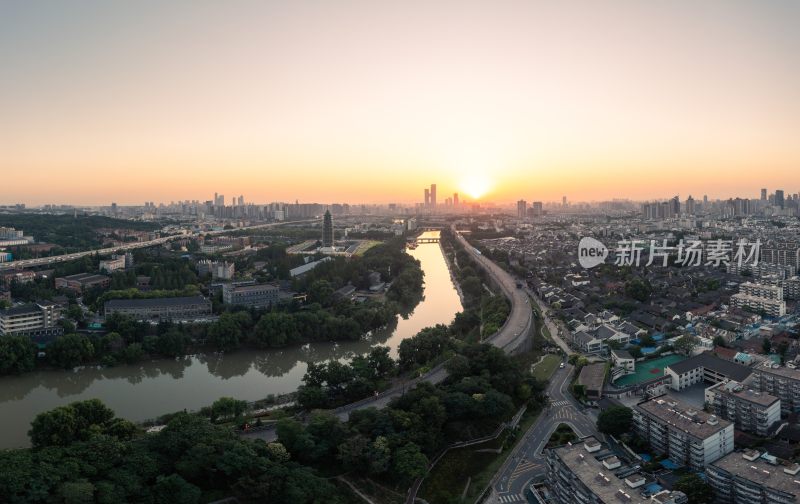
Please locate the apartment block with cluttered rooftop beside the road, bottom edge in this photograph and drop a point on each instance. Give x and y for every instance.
(588, 473)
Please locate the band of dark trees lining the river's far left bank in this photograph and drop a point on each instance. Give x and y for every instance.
(325, 317)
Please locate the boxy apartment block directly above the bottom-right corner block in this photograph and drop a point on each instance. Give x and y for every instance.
(748, 409)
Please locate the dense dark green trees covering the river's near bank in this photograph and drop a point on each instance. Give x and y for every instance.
(197, 457)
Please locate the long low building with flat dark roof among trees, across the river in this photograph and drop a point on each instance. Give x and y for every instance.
(177, 308)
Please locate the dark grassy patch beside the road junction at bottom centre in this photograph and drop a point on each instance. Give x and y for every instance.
(449, 478)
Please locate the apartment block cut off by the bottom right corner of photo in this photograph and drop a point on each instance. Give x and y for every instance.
(750, 478)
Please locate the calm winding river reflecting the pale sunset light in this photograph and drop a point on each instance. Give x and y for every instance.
(149, 389)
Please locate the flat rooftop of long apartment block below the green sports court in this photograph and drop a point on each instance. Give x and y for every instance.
(682, 416)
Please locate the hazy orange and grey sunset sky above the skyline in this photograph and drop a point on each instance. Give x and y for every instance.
(371, 101)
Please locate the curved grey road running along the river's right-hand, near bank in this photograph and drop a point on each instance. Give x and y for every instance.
(509, 337)
